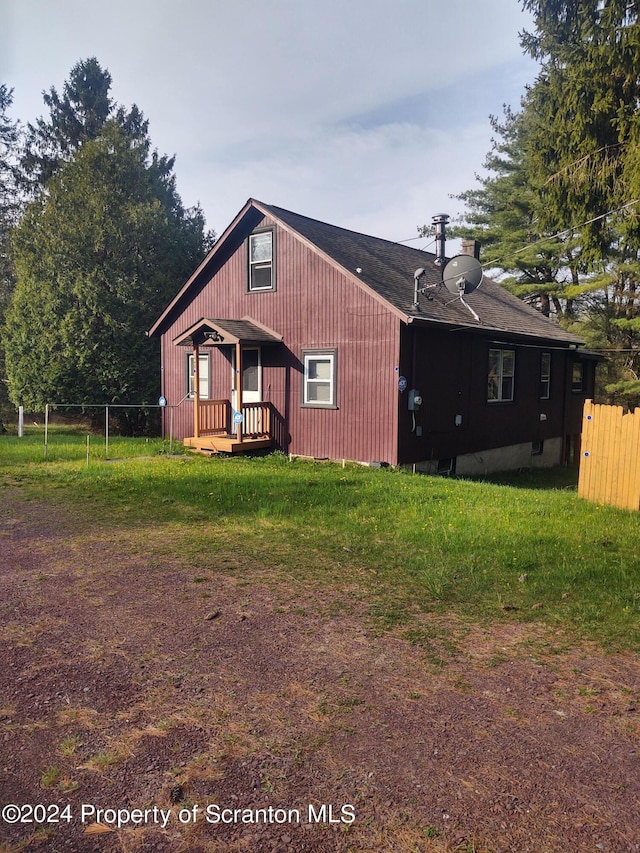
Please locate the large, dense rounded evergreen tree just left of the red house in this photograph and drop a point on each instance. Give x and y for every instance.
(98, 255)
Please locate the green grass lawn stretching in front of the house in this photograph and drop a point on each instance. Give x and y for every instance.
(523, 547)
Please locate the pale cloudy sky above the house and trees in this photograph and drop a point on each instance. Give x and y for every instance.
(365, 113)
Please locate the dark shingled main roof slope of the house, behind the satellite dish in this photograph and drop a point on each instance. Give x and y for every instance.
(388, 268)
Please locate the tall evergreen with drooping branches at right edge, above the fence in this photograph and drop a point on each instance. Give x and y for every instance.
(584, 156)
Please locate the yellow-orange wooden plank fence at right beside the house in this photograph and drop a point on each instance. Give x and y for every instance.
(610, 456)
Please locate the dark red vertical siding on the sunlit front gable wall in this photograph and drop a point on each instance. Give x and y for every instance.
(314, 306)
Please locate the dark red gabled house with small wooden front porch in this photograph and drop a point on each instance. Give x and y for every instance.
(316, 340)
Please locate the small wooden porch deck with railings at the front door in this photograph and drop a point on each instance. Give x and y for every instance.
(213, 428)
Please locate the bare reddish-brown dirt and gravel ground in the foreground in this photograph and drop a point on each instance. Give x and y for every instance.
(130, 682)
